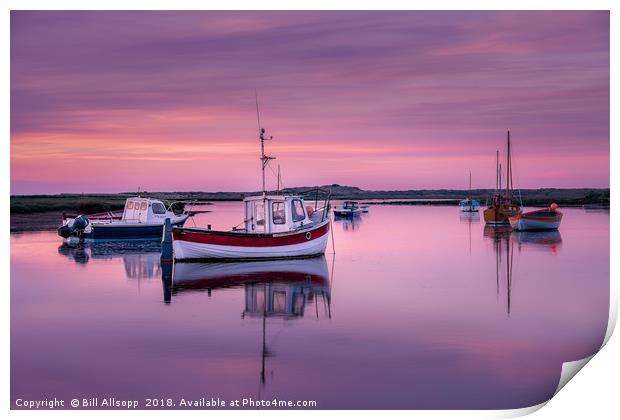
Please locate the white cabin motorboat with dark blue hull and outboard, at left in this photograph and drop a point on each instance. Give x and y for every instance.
(142, 218)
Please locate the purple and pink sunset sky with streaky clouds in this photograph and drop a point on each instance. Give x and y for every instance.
(113, 101)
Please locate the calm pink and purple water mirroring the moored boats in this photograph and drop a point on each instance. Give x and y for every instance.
(420, 307)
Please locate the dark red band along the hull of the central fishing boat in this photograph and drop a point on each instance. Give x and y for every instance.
(250, 240)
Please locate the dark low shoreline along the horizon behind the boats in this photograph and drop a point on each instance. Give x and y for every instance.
(44, 212)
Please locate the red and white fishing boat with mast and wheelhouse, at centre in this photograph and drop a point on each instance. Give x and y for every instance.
(275, 226)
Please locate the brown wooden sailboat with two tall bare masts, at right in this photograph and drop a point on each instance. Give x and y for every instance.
(503, 205)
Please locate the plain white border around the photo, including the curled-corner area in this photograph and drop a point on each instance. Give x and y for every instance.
(593, 395)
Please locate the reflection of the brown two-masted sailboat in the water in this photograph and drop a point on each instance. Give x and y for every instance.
(504, 259)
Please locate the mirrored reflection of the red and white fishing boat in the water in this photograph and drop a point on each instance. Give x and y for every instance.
(282, 289)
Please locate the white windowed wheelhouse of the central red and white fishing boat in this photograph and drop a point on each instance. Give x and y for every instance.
(275, 213)
